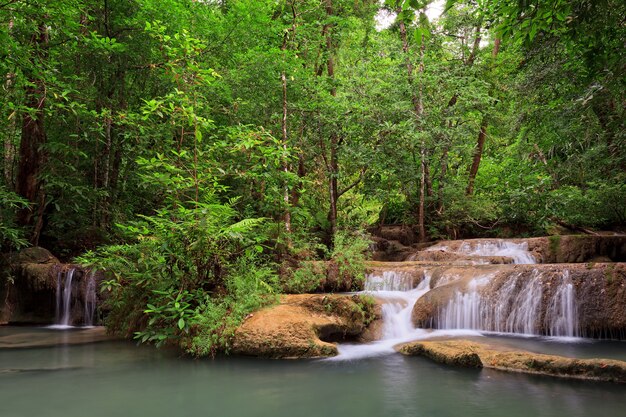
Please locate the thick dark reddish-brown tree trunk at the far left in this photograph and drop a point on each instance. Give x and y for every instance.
(31, 153)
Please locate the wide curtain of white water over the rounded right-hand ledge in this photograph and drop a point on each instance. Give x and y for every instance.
(515, 307)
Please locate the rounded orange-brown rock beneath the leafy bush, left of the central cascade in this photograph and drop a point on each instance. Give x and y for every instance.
(304, 326)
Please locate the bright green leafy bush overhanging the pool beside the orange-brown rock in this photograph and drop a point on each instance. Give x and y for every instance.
(187, 272)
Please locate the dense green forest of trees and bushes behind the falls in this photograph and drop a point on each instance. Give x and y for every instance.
(201, 144)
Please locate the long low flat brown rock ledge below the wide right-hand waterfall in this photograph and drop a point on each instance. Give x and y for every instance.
(471, 354)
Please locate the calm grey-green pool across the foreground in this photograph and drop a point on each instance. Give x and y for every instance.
(111, 379)
